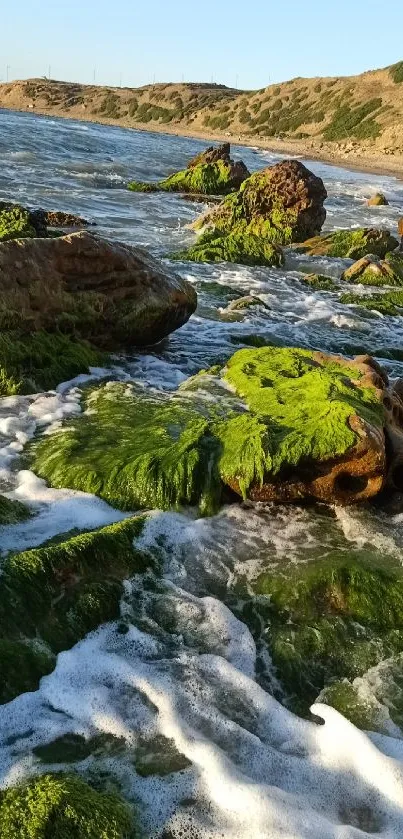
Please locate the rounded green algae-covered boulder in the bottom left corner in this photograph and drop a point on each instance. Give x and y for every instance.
(63, 807)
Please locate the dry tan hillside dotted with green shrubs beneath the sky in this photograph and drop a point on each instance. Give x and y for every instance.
(358, 118)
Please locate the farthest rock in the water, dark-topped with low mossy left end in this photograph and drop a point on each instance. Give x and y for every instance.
(213, 172)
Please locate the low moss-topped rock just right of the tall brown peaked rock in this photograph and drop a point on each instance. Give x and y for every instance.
(353, 244)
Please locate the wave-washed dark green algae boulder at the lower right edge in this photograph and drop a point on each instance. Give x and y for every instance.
(329, 620)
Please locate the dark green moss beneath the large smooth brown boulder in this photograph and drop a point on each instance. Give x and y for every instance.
(41, 360)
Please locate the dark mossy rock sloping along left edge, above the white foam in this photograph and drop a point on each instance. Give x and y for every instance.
(51, 596)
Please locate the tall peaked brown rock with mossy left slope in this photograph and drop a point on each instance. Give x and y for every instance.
(283, 204)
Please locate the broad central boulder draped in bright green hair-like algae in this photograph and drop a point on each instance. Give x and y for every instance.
(273, 424)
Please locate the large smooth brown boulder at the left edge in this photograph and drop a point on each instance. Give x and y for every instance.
(109, 293)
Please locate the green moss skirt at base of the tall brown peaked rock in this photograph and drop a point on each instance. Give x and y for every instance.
(242, 248)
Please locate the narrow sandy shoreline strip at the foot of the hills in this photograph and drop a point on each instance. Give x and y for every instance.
(305, 150)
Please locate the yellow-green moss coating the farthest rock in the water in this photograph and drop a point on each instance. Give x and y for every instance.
(204, 179)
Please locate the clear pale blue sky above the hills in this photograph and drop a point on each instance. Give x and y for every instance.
(248, 43)
